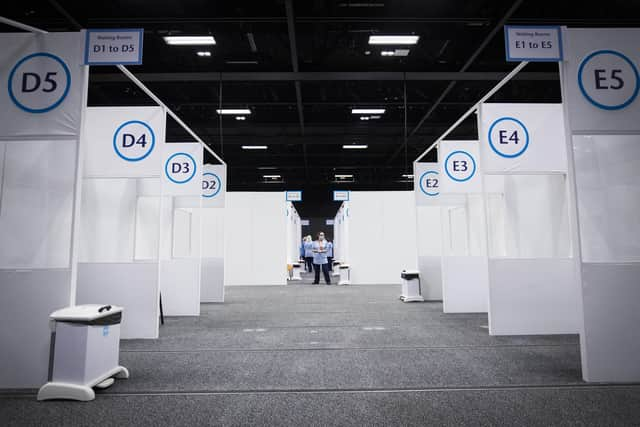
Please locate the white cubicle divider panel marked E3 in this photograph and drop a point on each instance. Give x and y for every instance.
(465, 287)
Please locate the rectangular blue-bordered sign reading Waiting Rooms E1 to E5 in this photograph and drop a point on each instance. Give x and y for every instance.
(535, 44)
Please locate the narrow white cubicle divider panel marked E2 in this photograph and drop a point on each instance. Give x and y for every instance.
(429, 228)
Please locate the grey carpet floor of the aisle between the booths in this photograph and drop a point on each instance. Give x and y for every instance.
(327, 355)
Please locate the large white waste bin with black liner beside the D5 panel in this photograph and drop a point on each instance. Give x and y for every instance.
(85, 349)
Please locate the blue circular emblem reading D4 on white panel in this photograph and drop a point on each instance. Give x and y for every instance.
(132, 136)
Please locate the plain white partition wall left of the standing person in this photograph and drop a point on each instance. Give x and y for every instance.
(255, 244)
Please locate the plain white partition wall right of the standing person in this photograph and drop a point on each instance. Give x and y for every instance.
(381, 236)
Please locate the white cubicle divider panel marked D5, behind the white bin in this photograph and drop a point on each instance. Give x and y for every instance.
(41, 113)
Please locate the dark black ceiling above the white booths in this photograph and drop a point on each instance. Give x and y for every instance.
(301, 99)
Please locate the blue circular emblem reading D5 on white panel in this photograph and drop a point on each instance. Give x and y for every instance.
(39, 89)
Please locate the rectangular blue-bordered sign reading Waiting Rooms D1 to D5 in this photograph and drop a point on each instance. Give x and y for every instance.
(114, 47)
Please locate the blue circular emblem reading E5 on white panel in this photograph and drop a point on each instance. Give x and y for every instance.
(608, 79)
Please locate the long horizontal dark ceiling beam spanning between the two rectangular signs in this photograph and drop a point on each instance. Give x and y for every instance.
(322, 76)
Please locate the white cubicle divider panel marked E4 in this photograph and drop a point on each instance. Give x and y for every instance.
(533, 286)
